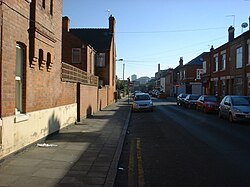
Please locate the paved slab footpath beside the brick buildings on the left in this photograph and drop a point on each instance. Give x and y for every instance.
(83, 154)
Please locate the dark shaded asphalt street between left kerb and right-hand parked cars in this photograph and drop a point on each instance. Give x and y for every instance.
(175, 146)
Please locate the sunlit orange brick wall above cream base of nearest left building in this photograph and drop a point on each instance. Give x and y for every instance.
(42, 87)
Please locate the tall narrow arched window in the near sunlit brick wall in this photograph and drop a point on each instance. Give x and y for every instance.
(19, 77)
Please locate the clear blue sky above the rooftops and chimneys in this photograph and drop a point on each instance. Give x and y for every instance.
(152, 32)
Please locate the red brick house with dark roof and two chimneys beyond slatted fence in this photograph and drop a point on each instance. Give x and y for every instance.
(92, 50)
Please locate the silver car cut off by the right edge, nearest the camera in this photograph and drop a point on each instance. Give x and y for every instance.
(235, 108)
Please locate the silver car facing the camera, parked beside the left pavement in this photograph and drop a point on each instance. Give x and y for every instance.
(142, 101)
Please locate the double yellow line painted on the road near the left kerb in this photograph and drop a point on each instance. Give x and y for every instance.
(135, 159)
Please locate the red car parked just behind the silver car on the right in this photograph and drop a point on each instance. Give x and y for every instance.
(208, 103)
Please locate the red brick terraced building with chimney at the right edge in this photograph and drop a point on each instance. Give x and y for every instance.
(227, 68)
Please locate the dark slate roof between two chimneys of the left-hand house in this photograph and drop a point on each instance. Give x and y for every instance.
(100, 39)
